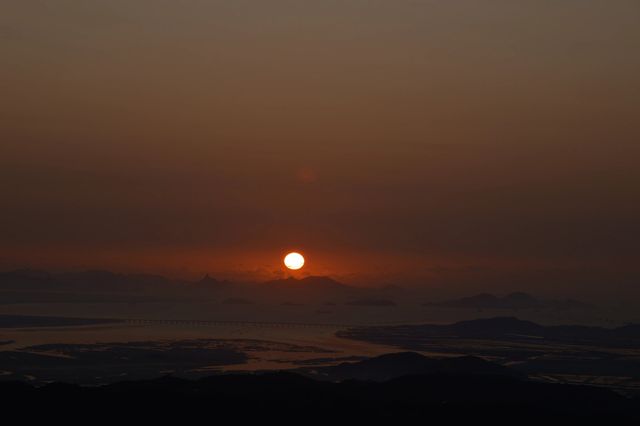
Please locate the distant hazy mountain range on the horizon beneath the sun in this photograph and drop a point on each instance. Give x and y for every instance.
(34, 286)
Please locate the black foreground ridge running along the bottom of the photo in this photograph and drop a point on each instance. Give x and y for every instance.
(287, 398)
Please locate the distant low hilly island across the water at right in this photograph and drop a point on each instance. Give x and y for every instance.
(517, 300)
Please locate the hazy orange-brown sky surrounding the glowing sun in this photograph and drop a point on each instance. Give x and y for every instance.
(387, 140)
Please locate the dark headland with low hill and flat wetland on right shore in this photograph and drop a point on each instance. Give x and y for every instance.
(568, 353)
